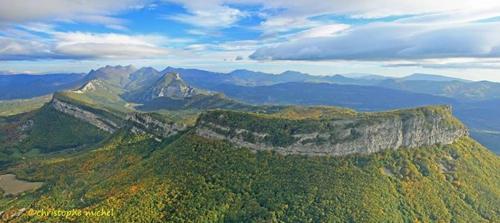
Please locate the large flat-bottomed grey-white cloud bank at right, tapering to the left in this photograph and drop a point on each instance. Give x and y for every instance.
(392, 41)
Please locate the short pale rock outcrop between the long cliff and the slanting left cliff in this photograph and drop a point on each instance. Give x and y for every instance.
(148, 123)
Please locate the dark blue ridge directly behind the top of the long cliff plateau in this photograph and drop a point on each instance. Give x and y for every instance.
(366, 98)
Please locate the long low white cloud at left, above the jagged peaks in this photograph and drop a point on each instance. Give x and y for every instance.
(78, 45)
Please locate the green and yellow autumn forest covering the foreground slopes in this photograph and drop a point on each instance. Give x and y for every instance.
(193, 179)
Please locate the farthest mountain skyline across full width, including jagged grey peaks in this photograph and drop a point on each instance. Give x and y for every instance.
(130, 78)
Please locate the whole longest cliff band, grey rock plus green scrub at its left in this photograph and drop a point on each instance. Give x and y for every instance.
(359, 133)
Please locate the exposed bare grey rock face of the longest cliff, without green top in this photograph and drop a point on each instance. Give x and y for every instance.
(358, 135)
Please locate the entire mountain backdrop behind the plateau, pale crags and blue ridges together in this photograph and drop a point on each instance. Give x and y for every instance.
(128, 88)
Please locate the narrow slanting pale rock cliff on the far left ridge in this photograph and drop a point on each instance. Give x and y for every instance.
(93, 118)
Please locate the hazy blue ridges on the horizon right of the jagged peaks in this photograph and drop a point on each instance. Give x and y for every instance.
(459, 89)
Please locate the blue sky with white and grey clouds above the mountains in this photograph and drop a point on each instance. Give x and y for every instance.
(459, 38)
